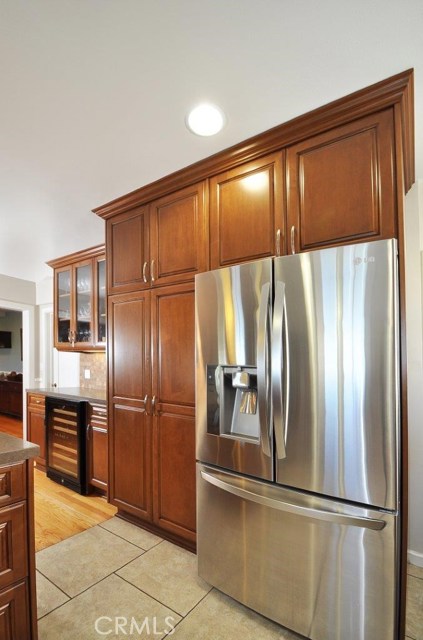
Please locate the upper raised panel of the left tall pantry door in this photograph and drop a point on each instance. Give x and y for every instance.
(129, 349)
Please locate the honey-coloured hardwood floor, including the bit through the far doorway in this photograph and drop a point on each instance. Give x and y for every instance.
(59, 512)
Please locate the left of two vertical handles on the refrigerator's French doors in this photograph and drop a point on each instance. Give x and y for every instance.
(263, 368)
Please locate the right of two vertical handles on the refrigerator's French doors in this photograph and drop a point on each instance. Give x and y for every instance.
(278, 365)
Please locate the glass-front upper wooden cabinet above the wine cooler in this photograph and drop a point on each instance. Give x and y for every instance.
(80, 300)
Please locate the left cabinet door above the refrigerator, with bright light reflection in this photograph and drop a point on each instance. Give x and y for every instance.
(247, 212)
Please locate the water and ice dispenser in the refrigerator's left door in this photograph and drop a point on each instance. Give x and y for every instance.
(232, 402)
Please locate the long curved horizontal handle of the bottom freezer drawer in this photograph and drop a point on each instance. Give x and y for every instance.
(295, 509)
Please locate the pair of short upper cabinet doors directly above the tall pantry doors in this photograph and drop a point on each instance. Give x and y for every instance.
(163, 242)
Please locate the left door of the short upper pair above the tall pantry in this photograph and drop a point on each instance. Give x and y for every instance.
(127, 250)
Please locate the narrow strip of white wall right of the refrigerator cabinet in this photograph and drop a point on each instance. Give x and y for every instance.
(414, 264)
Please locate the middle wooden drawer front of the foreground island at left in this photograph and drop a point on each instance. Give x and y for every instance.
(13, 544)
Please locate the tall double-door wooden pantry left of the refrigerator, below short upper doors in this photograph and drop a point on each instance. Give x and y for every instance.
(151, 400)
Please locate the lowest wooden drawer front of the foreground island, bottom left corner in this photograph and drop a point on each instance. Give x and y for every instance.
(14, 613)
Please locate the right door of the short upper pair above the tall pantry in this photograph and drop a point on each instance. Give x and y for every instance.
(179, 238)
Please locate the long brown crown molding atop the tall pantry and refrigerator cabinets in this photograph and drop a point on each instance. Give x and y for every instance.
(396, 90)
